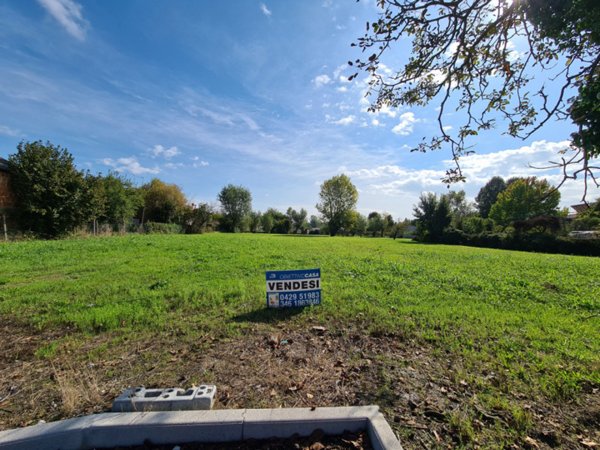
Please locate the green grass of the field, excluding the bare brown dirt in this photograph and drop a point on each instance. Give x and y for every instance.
(521, 329)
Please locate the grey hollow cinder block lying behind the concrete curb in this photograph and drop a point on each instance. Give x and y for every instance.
(172, 399)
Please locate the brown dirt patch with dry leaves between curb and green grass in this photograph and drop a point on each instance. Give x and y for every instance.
(431, 398)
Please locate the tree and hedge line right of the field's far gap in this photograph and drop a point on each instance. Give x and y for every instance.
(519, 213)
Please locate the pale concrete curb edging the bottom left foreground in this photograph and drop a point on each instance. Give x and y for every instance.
(179, 427)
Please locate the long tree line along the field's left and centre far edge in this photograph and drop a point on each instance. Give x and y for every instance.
(54, 198)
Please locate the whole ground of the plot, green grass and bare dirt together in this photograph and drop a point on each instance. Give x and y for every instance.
(459, 346)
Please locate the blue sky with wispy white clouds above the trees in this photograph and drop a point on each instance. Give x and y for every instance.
(203, 94)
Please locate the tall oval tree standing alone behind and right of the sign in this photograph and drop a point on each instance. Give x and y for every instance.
(338, 197)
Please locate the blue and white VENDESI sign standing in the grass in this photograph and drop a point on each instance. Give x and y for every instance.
(293, 288)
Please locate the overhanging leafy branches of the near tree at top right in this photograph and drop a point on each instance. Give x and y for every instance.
(462, 56)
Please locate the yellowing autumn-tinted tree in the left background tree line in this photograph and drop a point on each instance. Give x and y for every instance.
(163, 202)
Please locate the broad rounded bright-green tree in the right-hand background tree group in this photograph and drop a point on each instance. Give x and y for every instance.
(524, 199)
